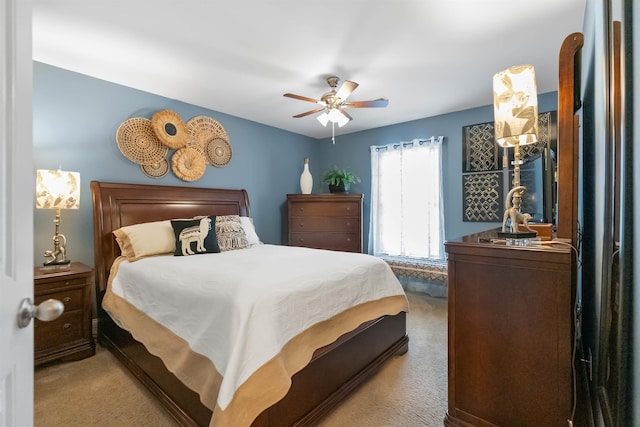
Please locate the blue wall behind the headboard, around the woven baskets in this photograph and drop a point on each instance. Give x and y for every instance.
(75, 119)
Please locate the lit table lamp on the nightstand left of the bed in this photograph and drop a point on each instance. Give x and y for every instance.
(57, 189)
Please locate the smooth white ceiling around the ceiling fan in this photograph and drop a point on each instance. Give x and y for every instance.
(428, 57)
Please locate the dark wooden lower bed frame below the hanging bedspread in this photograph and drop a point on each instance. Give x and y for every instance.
(334, 372)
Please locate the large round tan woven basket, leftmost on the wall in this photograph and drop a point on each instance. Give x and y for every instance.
(138, 143)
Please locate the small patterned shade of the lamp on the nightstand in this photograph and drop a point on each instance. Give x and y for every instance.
(57, 189)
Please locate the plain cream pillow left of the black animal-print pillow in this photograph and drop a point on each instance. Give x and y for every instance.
(146, 239)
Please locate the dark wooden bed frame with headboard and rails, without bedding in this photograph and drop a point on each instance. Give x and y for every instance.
(335, 369)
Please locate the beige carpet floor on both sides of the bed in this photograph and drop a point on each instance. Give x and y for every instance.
(409, 391)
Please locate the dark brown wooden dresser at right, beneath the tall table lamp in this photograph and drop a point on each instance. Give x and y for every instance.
(510, 334)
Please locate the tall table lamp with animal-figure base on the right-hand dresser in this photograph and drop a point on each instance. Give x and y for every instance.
(515, 101)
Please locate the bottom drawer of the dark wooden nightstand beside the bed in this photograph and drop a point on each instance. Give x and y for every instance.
(67, 328)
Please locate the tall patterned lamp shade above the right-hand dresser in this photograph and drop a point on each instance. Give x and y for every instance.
(515, 101)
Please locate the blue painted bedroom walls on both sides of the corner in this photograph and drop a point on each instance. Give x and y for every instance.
(75, 118)
